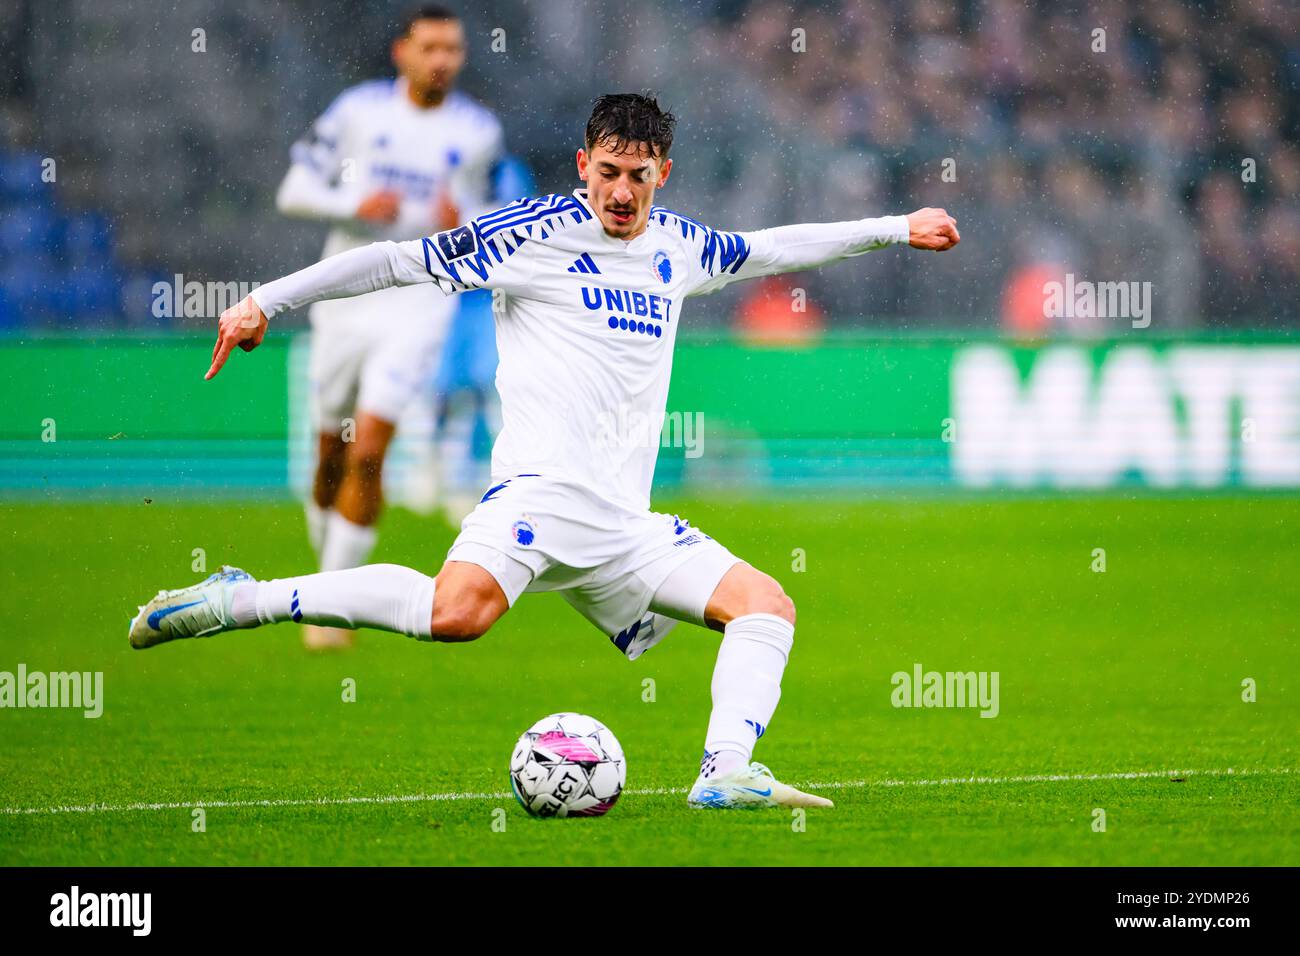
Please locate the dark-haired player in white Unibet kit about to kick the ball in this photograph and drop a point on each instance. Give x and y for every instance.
(595, 289)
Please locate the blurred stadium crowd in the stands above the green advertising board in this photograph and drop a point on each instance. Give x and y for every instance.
(1165, 150)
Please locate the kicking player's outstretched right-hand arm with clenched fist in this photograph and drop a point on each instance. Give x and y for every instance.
(729, 258)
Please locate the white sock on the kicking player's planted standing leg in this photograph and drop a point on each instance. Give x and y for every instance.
(747, 687)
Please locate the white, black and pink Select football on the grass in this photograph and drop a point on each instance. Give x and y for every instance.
(567, 765)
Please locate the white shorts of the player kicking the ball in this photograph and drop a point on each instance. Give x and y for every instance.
(538, 534)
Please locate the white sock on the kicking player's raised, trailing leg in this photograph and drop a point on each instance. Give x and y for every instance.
(388, 598)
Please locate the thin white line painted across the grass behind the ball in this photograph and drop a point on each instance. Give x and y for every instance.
(649, 791)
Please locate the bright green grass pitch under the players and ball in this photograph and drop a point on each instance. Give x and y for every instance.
(1136, 671)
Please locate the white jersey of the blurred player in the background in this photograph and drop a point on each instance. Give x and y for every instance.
(375, 139)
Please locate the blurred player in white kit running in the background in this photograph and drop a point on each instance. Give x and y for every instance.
(391, 159)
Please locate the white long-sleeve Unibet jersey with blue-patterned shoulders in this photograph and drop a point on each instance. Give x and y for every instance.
(586, 322)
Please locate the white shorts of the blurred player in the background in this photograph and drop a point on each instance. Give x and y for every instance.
(375, 353)
